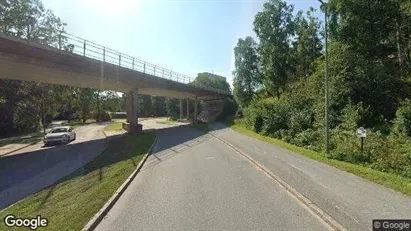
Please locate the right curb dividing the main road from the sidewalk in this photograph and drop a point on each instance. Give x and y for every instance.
(319, 213)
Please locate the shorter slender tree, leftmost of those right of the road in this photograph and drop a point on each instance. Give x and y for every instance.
(246, 74)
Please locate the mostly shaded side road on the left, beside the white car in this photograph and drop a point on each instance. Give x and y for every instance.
(35, 167)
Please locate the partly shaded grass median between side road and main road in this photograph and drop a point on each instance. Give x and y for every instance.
(74, 200)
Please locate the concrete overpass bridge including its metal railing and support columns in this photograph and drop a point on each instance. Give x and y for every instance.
(77, 62)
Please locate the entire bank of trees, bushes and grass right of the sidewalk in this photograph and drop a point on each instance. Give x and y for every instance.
(279, 84)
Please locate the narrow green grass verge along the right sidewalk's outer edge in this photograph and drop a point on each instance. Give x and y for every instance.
(392, 181)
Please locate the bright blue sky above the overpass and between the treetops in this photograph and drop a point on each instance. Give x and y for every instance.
(186, 36)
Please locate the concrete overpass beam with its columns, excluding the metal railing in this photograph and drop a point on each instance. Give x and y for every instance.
(34, 62)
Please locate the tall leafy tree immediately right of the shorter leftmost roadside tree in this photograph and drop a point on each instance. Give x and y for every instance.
(274, 28)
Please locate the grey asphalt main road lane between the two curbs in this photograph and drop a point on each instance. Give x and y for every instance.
(195, 182)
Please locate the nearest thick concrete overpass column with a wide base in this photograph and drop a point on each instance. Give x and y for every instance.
(132, 125)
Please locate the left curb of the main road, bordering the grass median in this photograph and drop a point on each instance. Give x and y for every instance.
(98, 217)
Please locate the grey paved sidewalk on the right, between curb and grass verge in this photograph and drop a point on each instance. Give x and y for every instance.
(349, 199)
